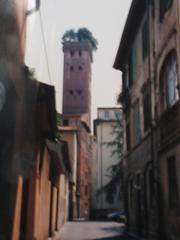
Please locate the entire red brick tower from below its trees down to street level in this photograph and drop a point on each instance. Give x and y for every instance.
(77, 113)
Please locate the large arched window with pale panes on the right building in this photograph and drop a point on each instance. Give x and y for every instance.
(168, 82)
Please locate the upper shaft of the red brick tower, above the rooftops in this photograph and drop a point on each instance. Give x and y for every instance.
(77, 80)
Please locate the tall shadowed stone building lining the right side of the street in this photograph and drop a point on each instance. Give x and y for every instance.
(149, 58)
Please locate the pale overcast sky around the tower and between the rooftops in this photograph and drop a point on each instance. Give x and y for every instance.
(104, 18)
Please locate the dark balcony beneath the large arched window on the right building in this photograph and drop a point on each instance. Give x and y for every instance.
(169, 125)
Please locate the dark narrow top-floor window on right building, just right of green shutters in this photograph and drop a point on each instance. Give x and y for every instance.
(145, 39)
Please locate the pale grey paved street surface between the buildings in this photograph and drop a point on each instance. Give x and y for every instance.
(81, 230)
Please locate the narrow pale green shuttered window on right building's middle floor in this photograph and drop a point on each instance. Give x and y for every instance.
(136, 123)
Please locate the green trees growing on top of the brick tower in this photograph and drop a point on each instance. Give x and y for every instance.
(82, 35)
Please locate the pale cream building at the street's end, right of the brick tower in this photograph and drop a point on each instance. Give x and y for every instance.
(107, 119)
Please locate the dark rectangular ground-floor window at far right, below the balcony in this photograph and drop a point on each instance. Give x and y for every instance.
(172, 182)
